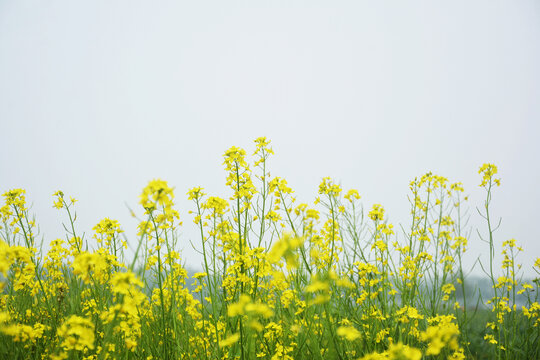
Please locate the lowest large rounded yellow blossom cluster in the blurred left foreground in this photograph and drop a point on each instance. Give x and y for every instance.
(77, 333)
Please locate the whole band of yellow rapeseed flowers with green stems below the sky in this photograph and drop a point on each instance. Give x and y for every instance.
(279, 279)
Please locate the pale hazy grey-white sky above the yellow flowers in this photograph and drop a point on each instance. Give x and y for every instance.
(99, 97)
